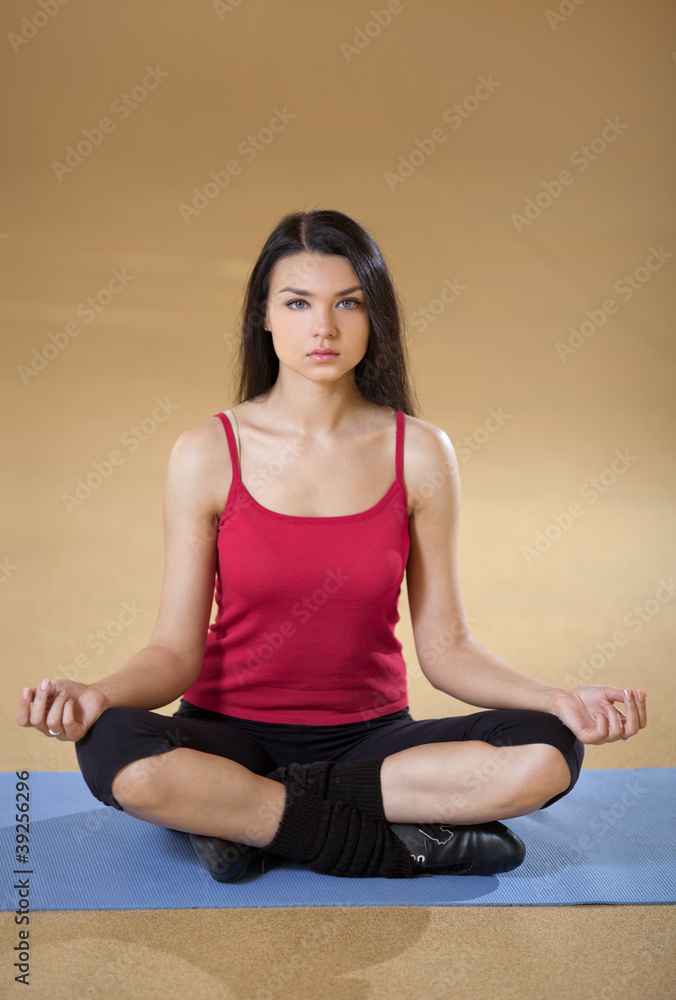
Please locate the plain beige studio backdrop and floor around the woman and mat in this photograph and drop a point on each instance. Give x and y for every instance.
(169, 335)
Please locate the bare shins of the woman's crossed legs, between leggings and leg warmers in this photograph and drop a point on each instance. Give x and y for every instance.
(461, 783)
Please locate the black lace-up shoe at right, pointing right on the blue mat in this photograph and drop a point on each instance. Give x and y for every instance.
(440, 849)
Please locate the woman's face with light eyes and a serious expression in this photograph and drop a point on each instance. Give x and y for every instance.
(315, 303)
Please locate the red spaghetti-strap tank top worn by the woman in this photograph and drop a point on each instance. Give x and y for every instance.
(306, 609)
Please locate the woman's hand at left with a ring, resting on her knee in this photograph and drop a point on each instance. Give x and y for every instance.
(66, 707)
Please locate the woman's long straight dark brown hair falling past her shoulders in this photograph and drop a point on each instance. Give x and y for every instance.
(382, 375)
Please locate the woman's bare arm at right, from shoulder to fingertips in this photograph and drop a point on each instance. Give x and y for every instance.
(449, 657)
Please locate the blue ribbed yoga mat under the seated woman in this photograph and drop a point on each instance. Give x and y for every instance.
(612, 840)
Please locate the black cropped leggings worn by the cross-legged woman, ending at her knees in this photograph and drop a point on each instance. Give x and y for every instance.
(123, 735)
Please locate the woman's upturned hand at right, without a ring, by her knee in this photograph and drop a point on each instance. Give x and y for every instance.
(591, 714)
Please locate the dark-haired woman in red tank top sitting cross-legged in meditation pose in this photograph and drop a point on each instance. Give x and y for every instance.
(293, 737)
